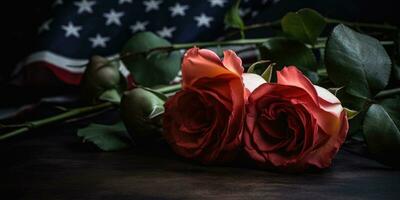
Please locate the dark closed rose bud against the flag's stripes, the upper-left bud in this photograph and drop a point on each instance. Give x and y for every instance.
(100, 76)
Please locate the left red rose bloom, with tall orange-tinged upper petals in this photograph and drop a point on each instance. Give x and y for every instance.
(204, 121)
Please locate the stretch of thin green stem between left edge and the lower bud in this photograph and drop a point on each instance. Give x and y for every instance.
(66, 115)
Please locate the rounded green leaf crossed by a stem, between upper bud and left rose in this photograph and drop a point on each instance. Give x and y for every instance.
(156, 68)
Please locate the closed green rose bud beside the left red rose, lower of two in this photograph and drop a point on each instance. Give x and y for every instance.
(141, 112)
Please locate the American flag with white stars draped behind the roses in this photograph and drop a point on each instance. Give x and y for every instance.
(82, 28)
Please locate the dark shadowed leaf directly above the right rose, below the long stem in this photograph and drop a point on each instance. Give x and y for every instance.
(286, 52)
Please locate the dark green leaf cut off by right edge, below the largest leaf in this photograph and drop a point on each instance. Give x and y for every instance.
(381, 133)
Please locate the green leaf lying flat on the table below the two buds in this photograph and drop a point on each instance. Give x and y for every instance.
(106, 137)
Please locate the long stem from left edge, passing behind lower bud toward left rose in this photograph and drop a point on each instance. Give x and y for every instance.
(87, 110)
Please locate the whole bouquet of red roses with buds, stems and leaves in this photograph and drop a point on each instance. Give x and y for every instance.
(291, 111)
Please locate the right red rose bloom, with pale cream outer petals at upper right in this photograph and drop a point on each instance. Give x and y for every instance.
(293, 124)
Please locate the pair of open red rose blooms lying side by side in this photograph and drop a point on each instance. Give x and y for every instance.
(220, 110)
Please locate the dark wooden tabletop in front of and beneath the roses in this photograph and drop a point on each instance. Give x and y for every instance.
(54, 164)
